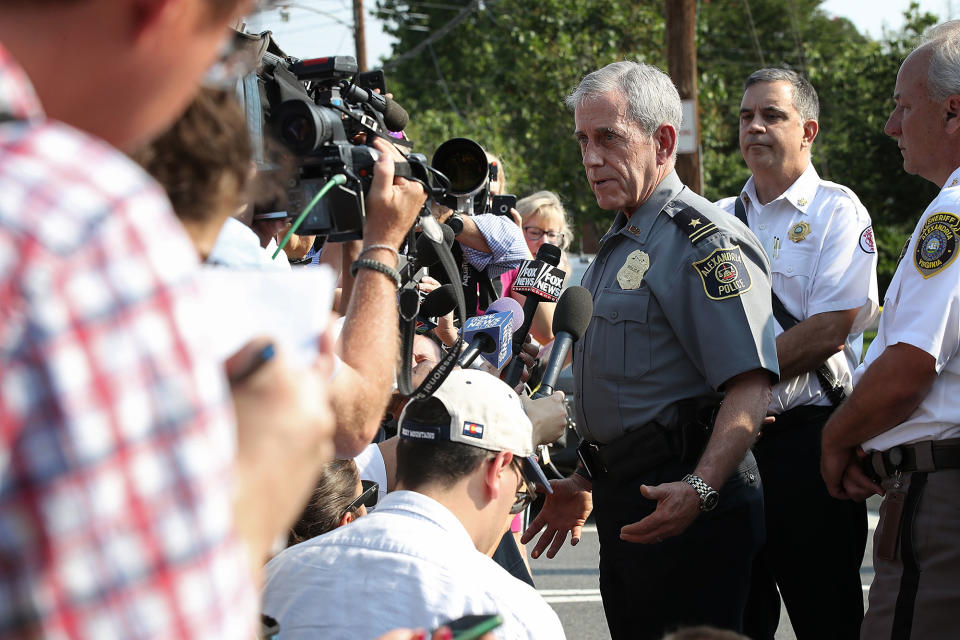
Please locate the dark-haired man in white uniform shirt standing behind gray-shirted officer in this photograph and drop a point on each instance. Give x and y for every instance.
(819, 239)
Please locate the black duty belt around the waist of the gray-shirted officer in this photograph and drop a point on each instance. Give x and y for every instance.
(651, 445)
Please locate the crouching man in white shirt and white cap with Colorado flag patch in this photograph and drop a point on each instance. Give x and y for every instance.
(463, 467)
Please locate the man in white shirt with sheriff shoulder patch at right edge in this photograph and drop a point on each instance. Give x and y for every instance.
(904, 411)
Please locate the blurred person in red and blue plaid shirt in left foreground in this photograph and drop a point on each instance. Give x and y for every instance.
(127, 492)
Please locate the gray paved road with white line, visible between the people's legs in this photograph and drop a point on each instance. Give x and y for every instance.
(570, 583)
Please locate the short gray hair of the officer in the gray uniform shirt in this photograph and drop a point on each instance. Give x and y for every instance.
(652, 99)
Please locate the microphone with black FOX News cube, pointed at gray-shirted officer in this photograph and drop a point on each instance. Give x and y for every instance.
(539, 280)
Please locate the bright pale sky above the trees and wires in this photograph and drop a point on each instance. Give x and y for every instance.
(317, 28)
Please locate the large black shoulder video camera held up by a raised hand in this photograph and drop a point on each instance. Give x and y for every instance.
(314, 108)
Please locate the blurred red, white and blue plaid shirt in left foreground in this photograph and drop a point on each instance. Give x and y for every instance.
(116, 436)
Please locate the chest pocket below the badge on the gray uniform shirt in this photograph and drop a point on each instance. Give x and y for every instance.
(620, 341)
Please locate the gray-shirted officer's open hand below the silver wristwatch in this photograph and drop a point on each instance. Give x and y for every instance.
(678, 505)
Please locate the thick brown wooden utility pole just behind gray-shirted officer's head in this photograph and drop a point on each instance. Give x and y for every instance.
(682, 63)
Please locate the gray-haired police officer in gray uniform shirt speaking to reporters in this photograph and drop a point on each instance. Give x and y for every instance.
(682, 318)
